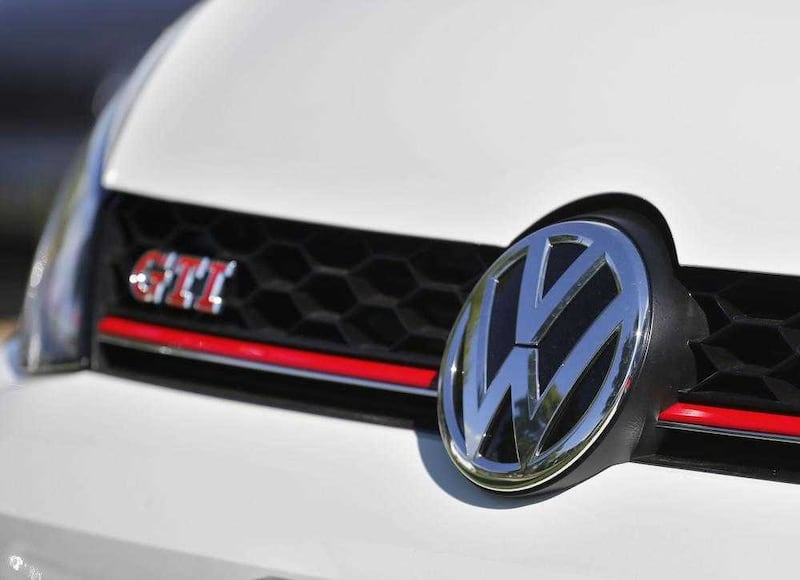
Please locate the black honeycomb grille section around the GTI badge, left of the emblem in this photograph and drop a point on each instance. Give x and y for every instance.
(329, 289)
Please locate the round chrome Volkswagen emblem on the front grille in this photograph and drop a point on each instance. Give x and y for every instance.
(542, 354)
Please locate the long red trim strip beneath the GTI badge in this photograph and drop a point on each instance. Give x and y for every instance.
(269, 354)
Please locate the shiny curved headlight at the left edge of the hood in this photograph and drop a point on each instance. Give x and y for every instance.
(54, 333)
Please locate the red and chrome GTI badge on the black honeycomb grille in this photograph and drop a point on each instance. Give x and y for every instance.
(173, 279)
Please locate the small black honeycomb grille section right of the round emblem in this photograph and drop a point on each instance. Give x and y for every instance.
(750, 357)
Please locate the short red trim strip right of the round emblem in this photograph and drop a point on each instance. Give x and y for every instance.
(734, 419)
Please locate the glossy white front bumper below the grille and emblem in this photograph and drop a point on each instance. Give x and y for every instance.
(142, 467)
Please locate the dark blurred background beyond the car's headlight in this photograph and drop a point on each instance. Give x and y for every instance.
(60, 63)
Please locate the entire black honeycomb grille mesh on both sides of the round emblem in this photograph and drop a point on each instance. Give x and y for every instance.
(394, 298)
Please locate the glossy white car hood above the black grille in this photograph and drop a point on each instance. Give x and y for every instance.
(472, 120)
